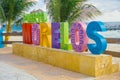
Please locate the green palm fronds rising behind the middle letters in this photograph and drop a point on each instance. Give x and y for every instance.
(71, 10)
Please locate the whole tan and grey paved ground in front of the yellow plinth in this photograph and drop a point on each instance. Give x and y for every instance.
(13, 67)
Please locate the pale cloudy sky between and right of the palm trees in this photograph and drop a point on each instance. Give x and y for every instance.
(110, 9)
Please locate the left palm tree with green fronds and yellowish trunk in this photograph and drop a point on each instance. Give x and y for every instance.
(11, 10)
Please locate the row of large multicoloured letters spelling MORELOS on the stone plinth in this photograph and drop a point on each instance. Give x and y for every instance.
(57, 35)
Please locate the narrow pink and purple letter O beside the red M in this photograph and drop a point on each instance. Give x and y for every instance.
(36, 34)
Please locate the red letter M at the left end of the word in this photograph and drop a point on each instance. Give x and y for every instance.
(27, 33)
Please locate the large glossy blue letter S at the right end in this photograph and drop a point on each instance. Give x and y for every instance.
(101, 43)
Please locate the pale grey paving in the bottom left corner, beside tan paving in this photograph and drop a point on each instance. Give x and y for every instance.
(8, 72)
